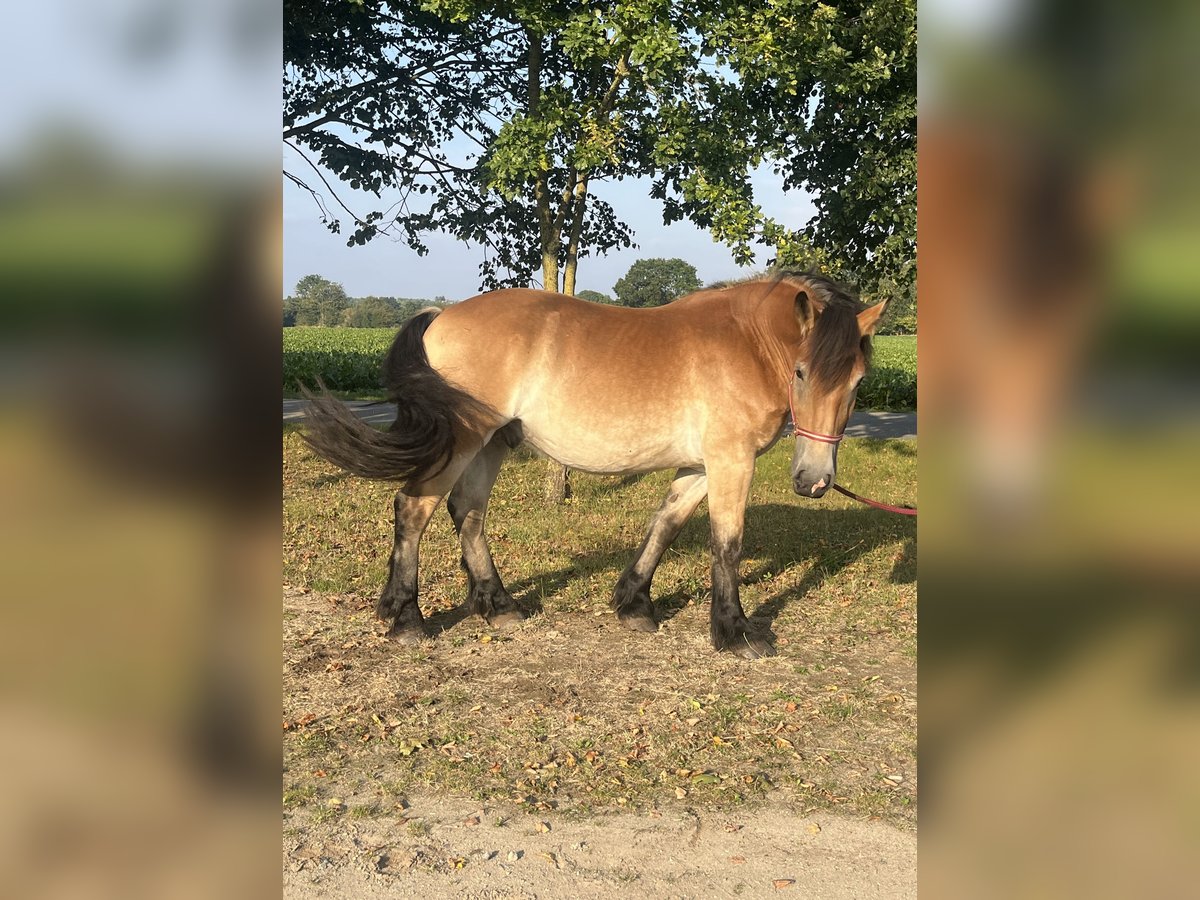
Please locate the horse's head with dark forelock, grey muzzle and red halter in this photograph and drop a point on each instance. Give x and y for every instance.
(833, 357)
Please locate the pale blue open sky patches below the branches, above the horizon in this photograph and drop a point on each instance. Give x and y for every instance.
(388, 268)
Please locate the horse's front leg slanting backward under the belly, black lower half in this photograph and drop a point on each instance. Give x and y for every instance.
(632, 598)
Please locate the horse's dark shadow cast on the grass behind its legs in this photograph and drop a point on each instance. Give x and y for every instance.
(777, 537)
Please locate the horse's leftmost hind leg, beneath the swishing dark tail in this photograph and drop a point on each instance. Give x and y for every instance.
(415, 507)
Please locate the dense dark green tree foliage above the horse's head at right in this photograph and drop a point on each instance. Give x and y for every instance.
(853, 110)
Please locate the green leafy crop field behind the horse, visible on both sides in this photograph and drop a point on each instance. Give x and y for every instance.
(349, 361)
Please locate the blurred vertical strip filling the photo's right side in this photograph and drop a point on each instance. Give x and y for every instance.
(1060, 427)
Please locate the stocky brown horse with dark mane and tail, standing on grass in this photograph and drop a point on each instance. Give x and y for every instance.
(703, 386)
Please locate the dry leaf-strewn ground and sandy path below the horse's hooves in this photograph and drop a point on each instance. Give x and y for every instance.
(543, 763)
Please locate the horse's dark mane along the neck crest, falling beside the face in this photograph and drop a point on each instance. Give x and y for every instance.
(836, 343)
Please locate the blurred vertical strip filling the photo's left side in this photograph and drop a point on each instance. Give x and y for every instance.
(140, 304)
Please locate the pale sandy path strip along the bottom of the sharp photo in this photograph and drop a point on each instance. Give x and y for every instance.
(478, 851)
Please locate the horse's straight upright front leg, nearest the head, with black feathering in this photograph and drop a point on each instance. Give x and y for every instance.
(729, 487)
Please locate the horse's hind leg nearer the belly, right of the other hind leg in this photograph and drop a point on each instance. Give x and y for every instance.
(469, 509)
